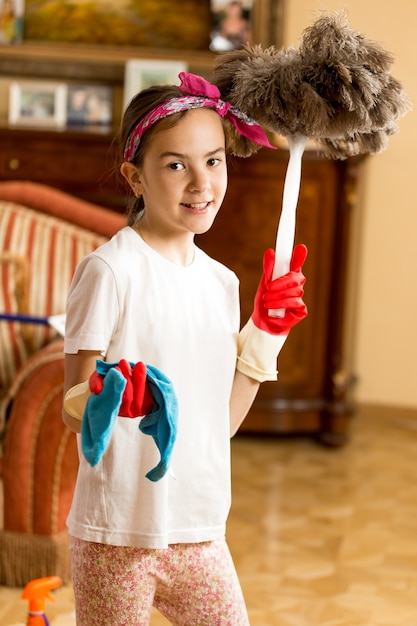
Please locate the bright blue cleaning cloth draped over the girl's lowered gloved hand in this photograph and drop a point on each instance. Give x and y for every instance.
(101, 411)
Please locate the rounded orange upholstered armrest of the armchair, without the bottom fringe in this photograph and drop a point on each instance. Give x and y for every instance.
(40, 454)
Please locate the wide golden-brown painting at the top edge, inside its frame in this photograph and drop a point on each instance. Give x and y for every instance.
(166, 24)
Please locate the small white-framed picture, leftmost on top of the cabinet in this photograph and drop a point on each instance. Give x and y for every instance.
(32, 103)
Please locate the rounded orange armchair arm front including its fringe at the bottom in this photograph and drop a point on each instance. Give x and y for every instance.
(39, 472)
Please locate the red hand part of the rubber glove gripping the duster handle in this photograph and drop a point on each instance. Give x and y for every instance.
(285, 292)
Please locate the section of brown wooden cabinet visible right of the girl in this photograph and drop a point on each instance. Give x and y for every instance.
(313, 393)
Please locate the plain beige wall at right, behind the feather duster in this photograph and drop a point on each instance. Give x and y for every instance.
(386, 339)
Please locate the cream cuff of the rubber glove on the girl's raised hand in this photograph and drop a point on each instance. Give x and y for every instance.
(257, 352)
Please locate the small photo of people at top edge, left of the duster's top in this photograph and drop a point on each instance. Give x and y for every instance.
(232, 27)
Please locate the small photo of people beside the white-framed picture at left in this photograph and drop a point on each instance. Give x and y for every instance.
(89, 105)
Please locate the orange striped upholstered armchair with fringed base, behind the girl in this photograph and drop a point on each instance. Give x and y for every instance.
(43, 235)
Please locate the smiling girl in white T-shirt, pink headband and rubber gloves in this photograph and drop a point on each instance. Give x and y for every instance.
(150, 296)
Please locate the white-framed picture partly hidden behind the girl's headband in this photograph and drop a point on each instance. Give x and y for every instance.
(140, 74)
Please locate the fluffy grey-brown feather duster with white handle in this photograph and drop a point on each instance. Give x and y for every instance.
(335, 89)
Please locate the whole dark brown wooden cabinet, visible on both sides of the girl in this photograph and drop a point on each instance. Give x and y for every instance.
(314, 390)
